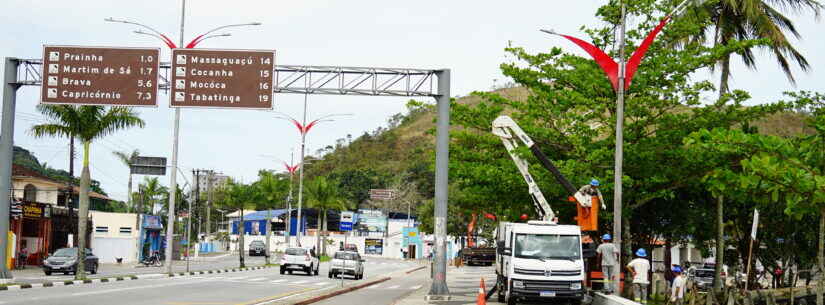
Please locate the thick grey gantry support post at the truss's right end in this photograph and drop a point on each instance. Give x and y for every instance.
(439, 290)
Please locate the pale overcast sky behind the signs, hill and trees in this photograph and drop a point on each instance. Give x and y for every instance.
(465, 36)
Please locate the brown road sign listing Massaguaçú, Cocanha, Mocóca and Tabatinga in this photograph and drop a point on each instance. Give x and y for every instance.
(222, 78)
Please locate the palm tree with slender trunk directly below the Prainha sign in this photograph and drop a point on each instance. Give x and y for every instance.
(86, 123)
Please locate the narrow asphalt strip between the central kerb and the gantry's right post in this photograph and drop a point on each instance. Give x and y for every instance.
(383, 293)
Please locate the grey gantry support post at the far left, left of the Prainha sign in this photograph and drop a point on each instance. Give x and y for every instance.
(10, 87)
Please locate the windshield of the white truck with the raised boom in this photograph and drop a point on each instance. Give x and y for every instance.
(542, 246)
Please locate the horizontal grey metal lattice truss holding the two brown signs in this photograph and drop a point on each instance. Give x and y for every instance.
(306, 79)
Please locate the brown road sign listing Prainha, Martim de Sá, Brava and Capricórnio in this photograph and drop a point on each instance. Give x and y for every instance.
(99, 76)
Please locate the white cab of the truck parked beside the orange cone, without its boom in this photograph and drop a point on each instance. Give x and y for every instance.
(539, 261)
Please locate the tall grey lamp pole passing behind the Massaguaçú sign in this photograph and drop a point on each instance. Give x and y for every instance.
(170, 227)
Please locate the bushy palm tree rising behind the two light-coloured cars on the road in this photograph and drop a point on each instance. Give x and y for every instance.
(324, 195)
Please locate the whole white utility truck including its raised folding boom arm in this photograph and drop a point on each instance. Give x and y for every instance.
(538, 260)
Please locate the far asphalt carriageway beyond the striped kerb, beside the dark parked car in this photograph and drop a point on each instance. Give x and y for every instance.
(33, 274)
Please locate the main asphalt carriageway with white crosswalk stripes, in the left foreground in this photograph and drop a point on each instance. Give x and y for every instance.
(249, 287)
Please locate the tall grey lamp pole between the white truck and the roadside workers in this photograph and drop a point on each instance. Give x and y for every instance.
(617, 179)
